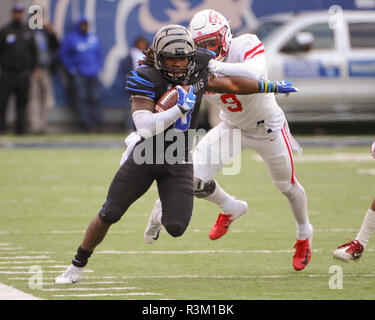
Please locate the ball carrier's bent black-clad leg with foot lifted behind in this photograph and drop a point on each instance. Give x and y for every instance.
(175, 207)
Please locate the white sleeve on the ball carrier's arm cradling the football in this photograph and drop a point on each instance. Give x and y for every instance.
(150, 124)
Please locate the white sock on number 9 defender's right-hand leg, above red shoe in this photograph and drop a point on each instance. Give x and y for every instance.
(298, 203)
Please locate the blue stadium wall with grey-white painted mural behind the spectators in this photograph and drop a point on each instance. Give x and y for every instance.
(119, 22)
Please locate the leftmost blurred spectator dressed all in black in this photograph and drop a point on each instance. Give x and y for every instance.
(18, 59)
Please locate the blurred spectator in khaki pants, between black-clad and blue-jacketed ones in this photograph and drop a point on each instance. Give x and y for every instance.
(41, 92)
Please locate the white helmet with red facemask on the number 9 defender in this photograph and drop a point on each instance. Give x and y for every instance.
(211, 30)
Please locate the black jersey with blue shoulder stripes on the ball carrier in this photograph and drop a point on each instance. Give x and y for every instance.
(148, 83)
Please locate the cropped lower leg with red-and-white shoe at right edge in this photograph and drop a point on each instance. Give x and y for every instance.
(353, 250)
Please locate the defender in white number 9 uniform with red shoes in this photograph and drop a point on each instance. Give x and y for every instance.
(263, 128)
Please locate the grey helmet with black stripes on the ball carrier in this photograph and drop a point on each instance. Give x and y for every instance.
(174, 41)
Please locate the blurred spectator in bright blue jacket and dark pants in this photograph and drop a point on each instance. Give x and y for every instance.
(81, 56)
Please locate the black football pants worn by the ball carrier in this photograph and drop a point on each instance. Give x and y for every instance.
(175, 186)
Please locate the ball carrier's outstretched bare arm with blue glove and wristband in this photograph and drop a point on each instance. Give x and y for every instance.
(239, 85)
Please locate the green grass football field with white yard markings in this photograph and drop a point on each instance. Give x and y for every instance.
(49, 196)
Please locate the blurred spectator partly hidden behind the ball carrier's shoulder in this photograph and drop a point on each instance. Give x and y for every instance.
(129, 63)
